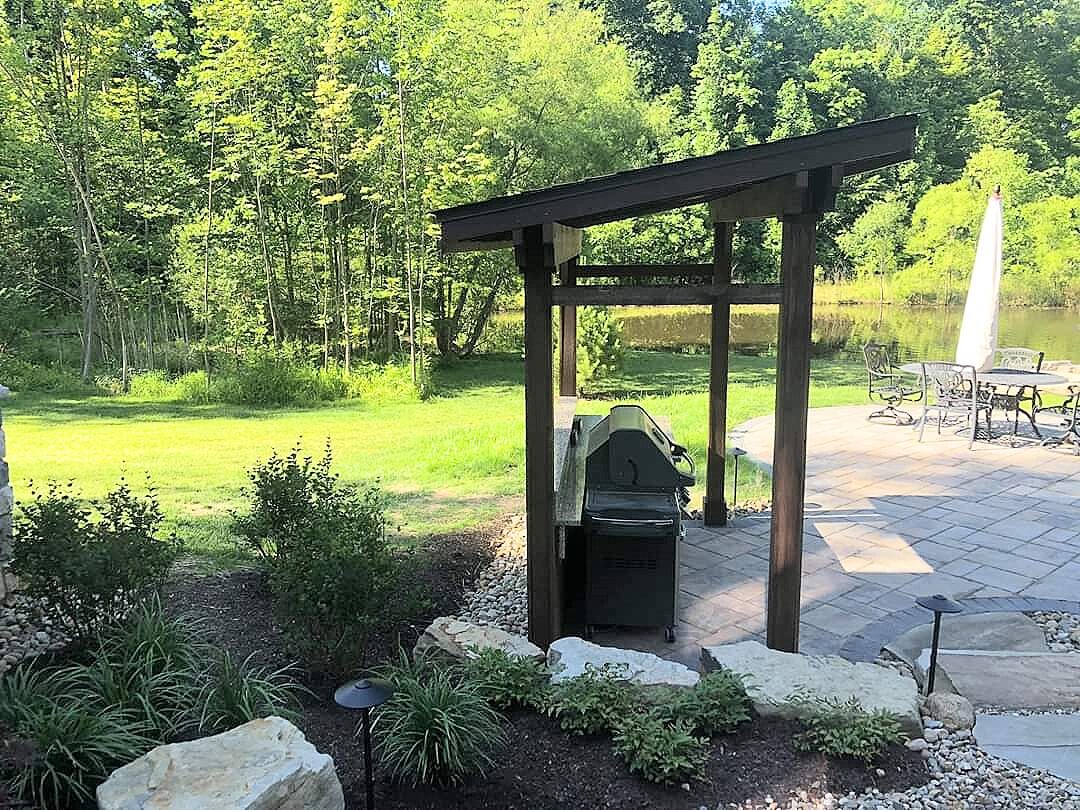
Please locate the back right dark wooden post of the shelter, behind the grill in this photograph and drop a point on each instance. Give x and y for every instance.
(715, 505)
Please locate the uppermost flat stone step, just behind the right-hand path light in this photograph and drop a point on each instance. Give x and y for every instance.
(1012, 632)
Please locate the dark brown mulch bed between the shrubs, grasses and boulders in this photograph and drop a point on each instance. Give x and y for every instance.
(543, 768)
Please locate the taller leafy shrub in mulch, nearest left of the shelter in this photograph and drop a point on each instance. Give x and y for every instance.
(333, 573)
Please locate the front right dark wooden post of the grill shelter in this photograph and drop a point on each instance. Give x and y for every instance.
(790, 442)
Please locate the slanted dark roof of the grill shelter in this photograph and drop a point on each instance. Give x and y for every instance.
(653, 190)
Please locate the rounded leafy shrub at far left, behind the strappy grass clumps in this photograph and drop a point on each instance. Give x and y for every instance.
(92, 573)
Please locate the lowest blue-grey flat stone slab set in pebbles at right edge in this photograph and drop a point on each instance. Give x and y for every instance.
(1050, 742)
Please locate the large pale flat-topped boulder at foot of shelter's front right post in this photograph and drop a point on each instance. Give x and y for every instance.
(773, 678)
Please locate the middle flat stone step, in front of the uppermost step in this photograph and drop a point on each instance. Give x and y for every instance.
(1009, 680)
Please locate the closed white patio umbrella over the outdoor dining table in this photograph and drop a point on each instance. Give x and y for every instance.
(979, 331)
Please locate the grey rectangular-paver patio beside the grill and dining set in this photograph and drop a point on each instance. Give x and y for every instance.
(887, 520)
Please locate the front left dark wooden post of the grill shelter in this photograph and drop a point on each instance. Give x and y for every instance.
(542, 571)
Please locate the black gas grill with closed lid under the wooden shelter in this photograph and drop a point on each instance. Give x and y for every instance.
(636, 499)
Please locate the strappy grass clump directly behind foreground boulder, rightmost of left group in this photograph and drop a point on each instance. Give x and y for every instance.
(236, 693)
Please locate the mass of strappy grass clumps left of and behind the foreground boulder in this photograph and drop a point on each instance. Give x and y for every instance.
(151, 681)
